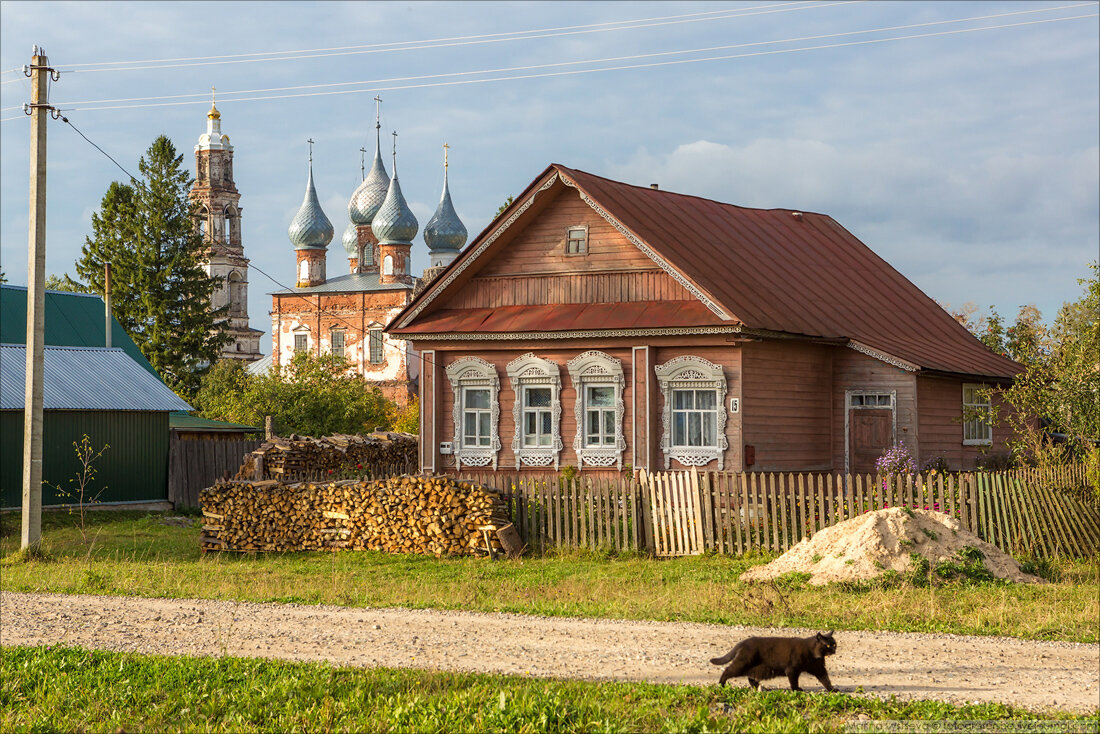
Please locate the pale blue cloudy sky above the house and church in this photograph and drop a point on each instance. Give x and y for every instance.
(958, 140)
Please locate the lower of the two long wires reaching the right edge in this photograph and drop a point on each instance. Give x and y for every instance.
(376, 90)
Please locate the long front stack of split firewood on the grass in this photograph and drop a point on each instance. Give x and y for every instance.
(433, 516)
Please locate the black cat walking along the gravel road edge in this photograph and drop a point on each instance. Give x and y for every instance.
(762, 659)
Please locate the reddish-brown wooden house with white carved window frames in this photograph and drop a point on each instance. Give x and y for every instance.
(608, 326)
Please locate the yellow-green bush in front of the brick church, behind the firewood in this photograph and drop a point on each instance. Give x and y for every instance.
(313, 396)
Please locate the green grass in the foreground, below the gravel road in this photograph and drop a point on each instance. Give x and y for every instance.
(72, 689)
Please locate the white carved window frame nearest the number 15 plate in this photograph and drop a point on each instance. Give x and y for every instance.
(692, 374)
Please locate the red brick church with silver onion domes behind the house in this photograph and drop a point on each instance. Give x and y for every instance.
(347, 315)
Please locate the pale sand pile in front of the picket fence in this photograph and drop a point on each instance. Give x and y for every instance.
(867, 546)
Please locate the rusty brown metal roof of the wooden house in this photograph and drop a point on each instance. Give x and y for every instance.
(773, 270)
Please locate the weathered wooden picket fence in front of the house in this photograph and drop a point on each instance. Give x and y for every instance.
(688, 513)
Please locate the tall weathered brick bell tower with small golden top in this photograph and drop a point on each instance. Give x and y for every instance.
(218, 223)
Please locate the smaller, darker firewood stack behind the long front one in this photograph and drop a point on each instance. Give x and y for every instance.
(298, 456)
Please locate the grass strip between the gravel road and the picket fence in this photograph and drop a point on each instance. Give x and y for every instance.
(137, 554)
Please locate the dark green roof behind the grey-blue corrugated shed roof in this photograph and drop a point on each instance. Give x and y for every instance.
(73, 320)
